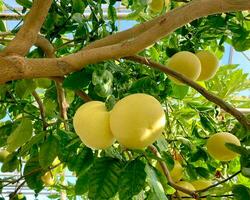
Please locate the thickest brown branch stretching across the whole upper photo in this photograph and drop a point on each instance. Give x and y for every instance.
(28, 68)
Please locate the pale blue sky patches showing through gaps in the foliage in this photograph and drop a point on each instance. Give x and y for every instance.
(238, 58)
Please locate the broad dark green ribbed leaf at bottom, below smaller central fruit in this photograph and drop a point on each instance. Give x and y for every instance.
(104, 178)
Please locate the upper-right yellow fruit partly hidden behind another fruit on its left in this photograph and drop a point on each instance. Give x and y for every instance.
(209, 65)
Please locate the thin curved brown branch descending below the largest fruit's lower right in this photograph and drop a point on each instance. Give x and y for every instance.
(168, 176)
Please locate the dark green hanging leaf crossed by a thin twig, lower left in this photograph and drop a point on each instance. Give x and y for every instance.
(32, 173)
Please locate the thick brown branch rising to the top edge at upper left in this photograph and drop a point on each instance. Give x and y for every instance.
(27, 35)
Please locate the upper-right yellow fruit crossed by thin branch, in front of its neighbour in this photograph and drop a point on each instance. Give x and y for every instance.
(185, 63)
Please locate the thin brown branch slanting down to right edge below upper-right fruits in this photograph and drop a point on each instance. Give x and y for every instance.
(209, 96)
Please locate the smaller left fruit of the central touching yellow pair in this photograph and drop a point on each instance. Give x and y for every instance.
(91, 123)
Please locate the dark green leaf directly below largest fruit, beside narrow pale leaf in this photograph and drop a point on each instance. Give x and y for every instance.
(132, 180)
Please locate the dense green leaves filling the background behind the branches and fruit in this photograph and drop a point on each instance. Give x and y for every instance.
(191, 119)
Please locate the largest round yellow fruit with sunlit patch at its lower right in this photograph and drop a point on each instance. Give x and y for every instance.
(137, 120)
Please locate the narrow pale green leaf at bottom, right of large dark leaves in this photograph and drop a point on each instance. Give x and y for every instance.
(154, 183)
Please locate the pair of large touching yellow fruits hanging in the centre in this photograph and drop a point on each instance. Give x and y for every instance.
(136, 121)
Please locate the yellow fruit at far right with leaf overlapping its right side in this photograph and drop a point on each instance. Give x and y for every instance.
(217, 149)
